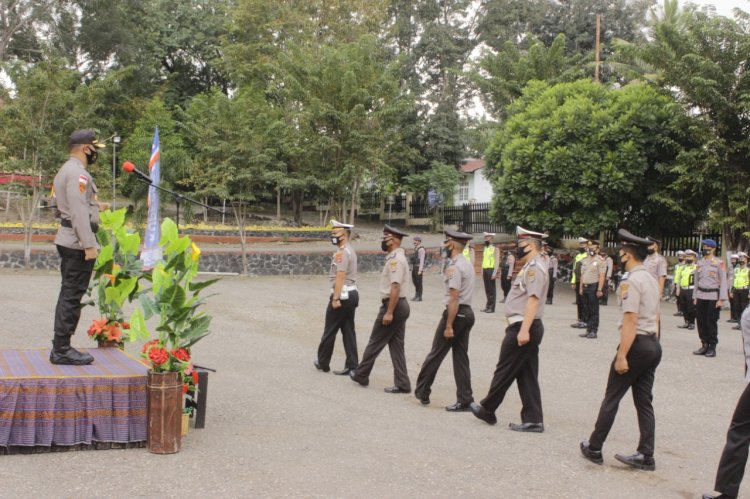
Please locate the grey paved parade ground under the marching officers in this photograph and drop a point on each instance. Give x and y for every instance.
(276, 427)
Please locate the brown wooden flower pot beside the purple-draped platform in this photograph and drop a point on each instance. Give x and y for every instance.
(164, 413)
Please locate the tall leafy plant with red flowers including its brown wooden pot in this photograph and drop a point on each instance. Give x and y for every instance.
(174, 301)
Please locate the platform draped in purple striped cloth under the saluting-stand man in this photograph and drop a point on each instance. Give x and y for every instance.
(45, 407)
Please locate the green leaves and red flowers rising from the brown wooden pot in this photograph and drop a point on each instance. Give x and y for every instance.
(175, 299)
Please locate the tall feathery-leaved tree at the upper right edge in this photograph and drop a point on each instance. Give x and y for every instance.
(701, 59)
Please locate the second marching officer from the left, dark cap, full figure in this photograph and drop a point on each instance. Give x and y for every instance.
(390, 324)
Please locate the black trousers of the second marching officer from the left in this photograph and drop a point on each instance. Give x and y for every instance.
(393, 336)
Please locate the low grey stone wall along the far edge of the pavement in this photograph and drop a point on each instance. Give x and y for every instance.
(259, 263)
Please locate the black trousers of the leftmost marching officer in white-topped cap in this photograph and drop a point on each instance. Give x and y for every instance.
(343, 319)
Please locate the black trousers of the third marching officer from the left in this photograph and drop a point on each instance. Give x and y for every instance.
(459, 344)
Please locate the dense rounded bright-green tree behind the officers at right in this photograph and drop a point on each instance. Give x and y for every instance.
(579, 158)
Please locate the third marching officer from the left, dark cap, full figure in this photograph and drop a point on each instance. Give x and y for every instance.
(453, 330)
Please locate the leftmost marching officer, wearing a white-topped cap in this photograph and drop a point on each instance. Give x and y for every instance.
(342, 302)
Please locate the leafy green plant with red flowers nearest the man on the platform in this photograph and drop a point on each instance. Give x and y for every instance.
(116, 276)
